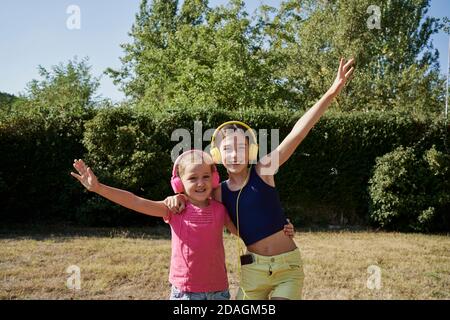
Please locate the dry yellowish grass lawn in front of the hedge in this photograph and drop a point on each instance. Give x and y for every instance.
(133, 264)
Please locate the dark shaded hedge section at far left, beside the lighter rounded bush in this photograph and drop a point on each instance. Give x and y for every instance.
(35, 162)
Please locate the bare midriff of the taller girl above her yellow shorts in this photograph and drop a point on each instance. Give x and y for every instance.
(272, 245)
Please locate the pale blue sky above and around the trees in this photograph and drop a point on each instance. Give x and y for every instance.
(34, 33)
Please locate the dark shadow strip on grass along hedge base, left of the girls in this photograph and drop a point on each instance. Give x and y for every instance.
(66, 233)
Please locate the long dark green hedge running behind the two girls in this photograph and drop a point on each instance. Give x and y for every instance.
(325, 181)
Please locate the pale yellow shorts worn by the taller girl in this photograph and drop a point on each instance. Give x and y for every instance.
(267, 277)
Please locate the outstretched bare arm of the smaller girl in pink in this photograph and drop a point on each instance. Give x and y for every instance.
(122, 197)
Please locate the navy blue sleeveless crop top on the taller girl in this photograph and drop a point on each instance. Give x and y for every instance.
(260, 211)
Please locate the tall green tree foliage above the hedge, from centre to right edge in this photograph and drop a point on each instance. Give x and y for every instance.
(194, 55)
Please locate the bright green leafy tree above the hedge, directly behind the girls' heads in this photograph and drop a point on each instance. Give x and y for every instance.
(197, 56)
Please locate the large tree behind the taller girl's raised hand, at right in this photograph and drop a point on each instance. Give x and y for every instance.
(396, 64)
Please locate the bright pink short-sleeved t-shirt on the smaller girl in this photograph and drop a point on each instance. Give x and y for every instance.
(198, 255)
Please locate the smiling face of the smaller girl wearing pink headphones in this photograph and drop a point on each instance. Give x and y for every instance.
(197, 182)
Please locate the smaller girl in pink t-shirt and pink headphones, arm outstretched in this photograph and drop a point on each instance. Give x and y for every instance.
(197, 268)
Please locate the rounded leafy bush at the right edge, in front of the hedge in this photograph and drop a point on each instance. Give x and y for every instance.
(410, 190)
